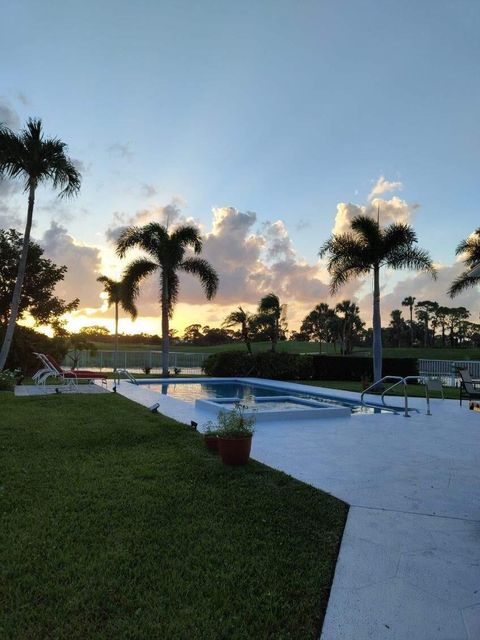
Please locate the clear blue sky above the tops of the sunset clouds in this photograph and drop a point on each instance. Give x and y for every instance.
(281, 108)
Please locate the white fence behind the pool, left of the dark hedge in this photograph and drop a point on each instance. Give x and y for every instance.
(138, 361)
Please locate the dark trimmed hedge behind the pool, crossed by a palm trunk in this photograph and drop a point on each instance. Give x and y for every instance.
(293, 366)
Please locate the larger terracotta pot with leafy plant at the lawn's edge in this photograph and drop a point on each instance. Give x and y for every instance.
(234, 435)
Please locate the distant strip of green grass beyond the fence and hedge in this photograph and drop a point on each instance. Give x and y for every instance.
(437, 353)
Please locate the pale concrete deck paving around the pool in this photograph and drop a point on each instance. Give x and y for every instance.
(409, 563)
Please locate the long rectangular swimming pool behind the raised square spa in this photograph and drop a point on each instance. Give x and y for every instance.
(250, 393)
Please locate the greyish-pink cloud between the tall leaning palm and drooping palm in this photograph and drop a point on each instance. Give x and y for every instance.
(82, 261)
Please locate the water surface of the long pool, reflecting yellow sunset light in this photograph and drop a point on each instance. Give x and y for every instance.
(246, 392)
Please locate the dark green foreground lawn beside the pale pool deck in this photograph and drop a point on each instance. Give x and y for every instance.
(117, 523)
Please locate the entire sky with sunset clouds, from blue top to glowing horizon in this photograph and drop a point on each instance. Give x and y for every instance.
(269, 124)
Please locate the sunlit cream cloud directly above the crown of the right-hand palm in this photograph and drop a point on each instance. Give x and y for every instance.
(393, 210)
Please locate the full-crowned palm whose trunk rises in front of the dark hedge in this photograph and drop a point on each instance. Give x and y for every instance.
(367, 248)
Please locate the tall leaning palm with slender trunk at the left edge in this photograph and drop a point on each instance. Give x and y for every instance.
(35, 160)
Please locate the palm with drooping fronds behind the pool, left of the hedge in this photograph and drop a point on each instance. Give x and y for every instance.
(167, 255)
